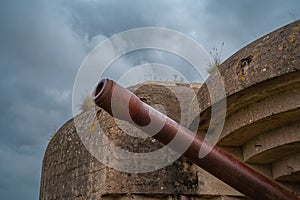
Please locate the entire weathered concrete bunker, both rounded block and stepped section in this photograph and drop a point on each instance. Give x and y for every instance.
(262, 83)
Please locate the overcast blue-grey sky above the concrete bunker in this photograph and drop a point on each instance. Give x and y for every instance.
(43, 43)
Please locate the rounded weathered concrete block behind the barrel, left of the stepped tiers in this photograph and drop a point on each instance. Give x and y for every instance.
(70, 172)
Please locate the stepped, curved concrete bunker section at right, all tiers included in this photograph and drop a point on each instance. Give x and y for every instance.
(262, 83)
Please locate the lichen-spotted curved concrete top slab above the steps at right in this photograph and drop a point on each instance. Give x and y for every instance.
(271, 63)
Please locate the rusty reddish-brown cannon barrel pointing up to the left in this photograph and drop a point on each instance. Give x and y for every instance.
(122, 104)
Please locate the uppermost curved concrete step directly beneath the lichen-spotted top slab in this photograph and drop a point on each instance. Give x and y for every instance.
(252, 120)
